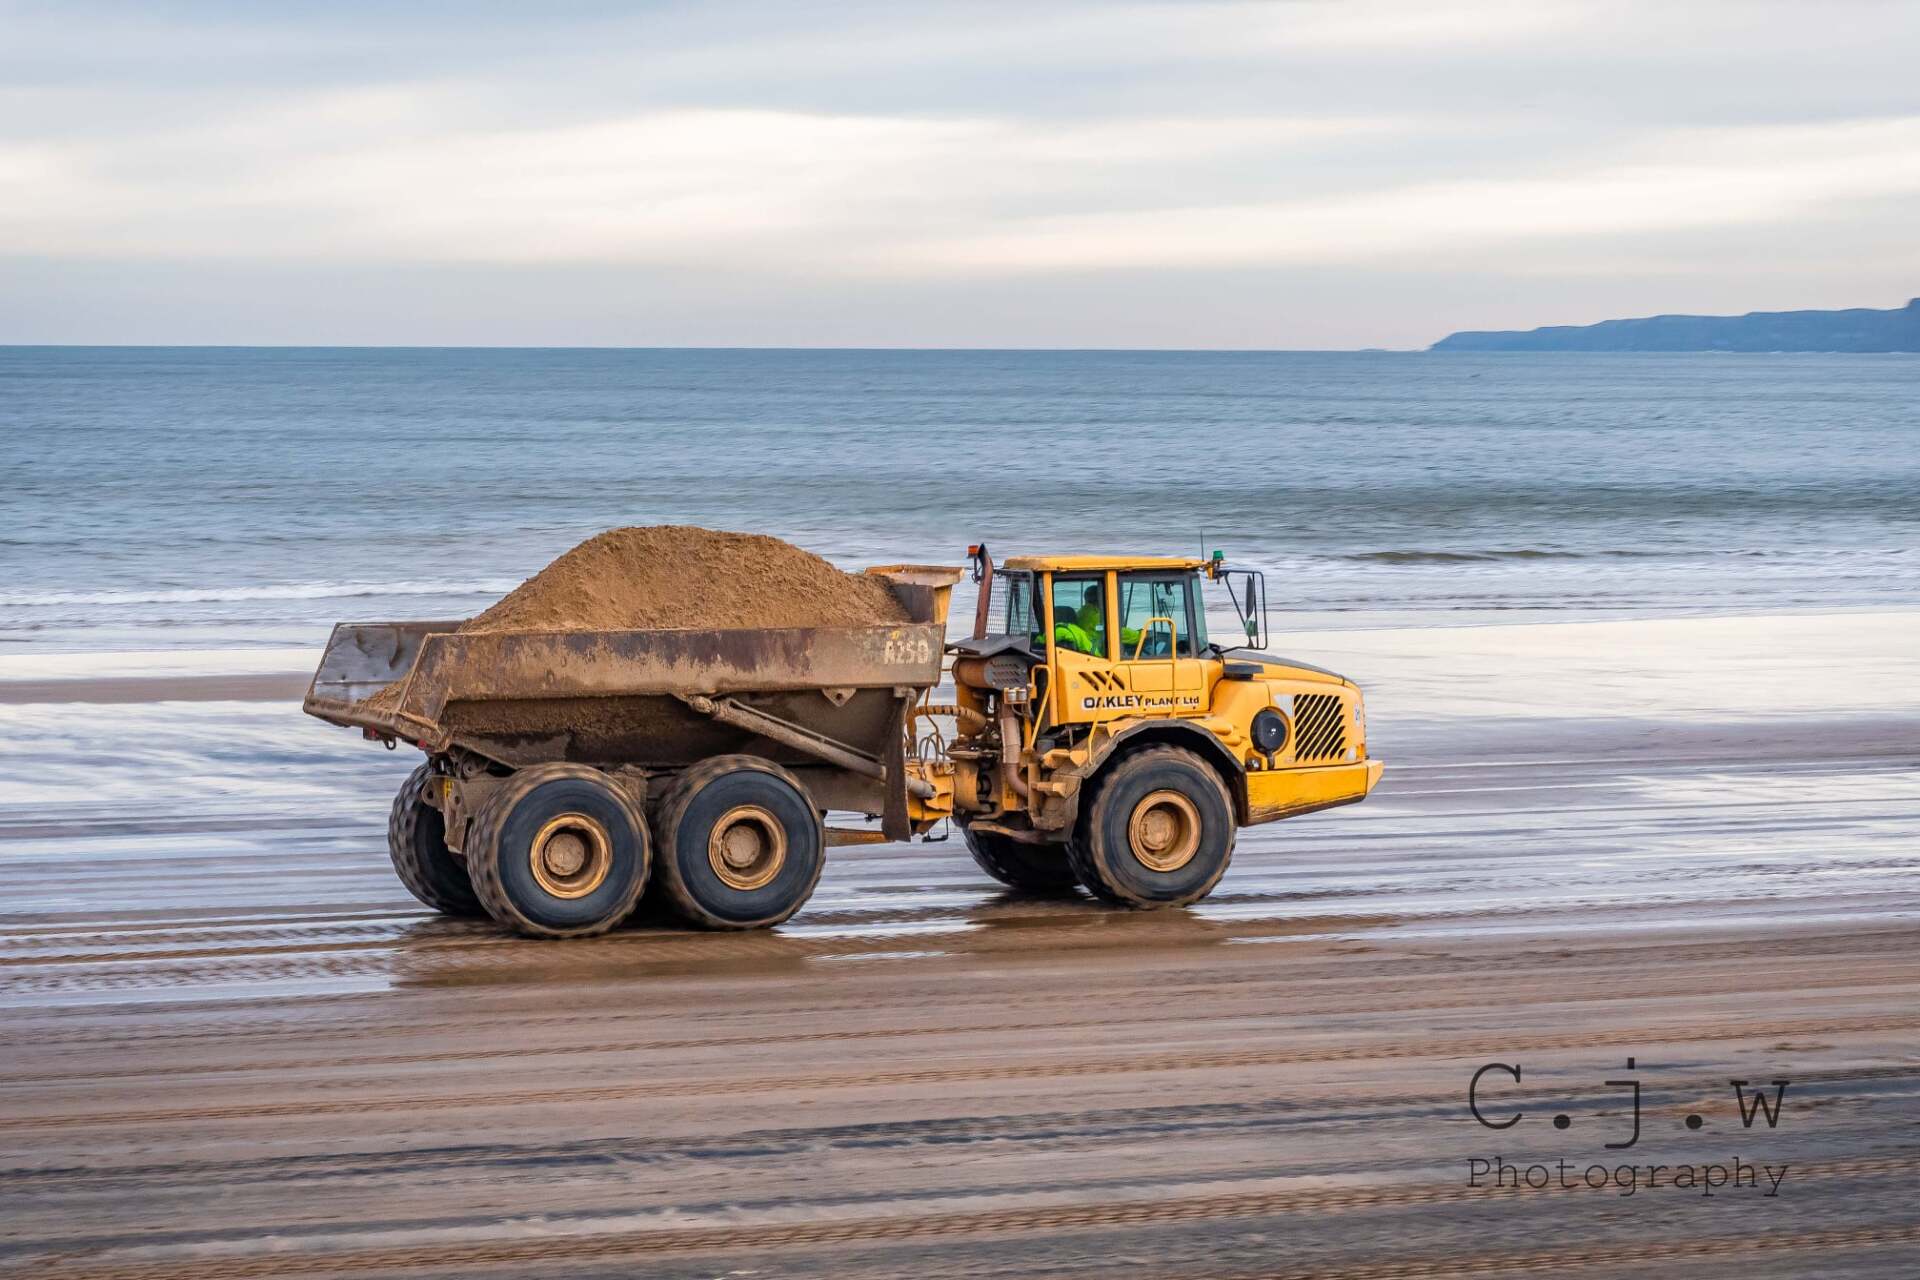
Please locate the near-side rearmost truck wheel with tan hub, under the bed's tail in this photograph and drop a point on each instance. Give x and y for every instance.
(560, 853)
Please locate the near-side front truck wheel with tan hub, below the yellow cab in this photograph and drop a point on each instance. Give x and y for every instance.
(1157, 832)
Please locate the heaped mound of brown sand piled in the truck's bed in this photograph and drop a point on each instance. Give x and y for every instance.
(683, 577)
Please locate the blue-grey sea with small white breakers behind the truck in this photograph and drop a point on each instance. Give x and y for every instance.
(233, 498)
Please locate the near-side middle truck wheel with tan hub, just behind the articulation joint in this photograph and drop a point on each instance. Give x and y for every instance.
(738, 845)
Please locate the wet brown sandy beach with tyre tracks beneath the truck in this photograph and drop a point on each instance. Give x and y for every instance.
(237, 1049)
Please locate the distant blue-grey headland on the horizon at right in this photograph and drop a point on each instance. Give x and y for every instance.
(1856, 329)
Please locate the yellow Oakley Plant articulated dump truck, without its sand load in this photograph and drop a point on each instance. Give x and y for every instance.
(1093, 738)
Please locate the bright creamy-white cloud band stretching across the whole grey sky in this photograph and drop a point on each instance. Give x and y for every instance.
(377, 176)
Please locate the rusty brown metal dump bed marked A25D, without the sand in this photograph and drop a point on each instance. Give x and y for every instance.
(654, 699)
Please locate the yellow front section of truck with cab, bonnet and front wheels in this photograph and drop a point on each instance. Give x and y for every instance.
(1084, 667)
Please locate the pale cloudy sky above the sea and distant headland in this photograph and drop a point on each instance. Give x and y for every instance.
(1293, 174)
